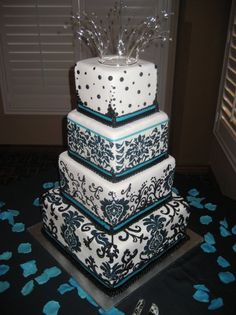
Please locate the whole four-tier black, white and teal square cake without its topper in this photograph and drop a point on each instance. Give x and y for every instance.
(115, 212)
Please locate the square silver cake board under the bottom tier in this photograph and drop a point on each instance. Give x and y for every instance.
(102, 299)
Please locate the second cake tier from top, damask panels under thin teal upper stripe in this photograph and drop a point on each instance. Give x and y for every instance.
(117, 152)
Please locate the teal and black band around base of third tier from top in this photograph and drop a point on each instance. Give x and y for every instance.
(107, 226)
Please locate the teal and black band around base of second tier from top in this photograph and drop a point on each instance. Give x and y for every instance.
(135, 168)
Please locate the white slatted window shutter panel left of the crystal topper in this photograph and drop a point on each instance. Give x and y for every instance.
(37, 54)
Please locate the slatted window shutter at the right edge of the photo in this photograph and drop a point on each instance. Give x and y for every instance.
(225, 124)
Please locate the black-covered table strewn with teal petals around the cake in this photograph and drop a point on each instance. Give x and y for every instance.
(173, 290)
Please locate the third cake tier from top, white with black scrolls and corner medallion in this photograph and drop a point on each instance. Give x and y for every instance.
(113, 205)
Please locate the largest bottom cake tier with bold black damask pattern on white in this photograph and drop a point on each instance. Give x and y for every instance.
(114, 259)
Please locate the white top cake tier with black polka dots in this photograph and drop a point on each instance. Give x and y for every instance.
(116, 95)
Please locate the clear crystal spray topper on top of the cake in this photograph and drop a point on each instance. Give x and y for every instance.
(117, 41)
